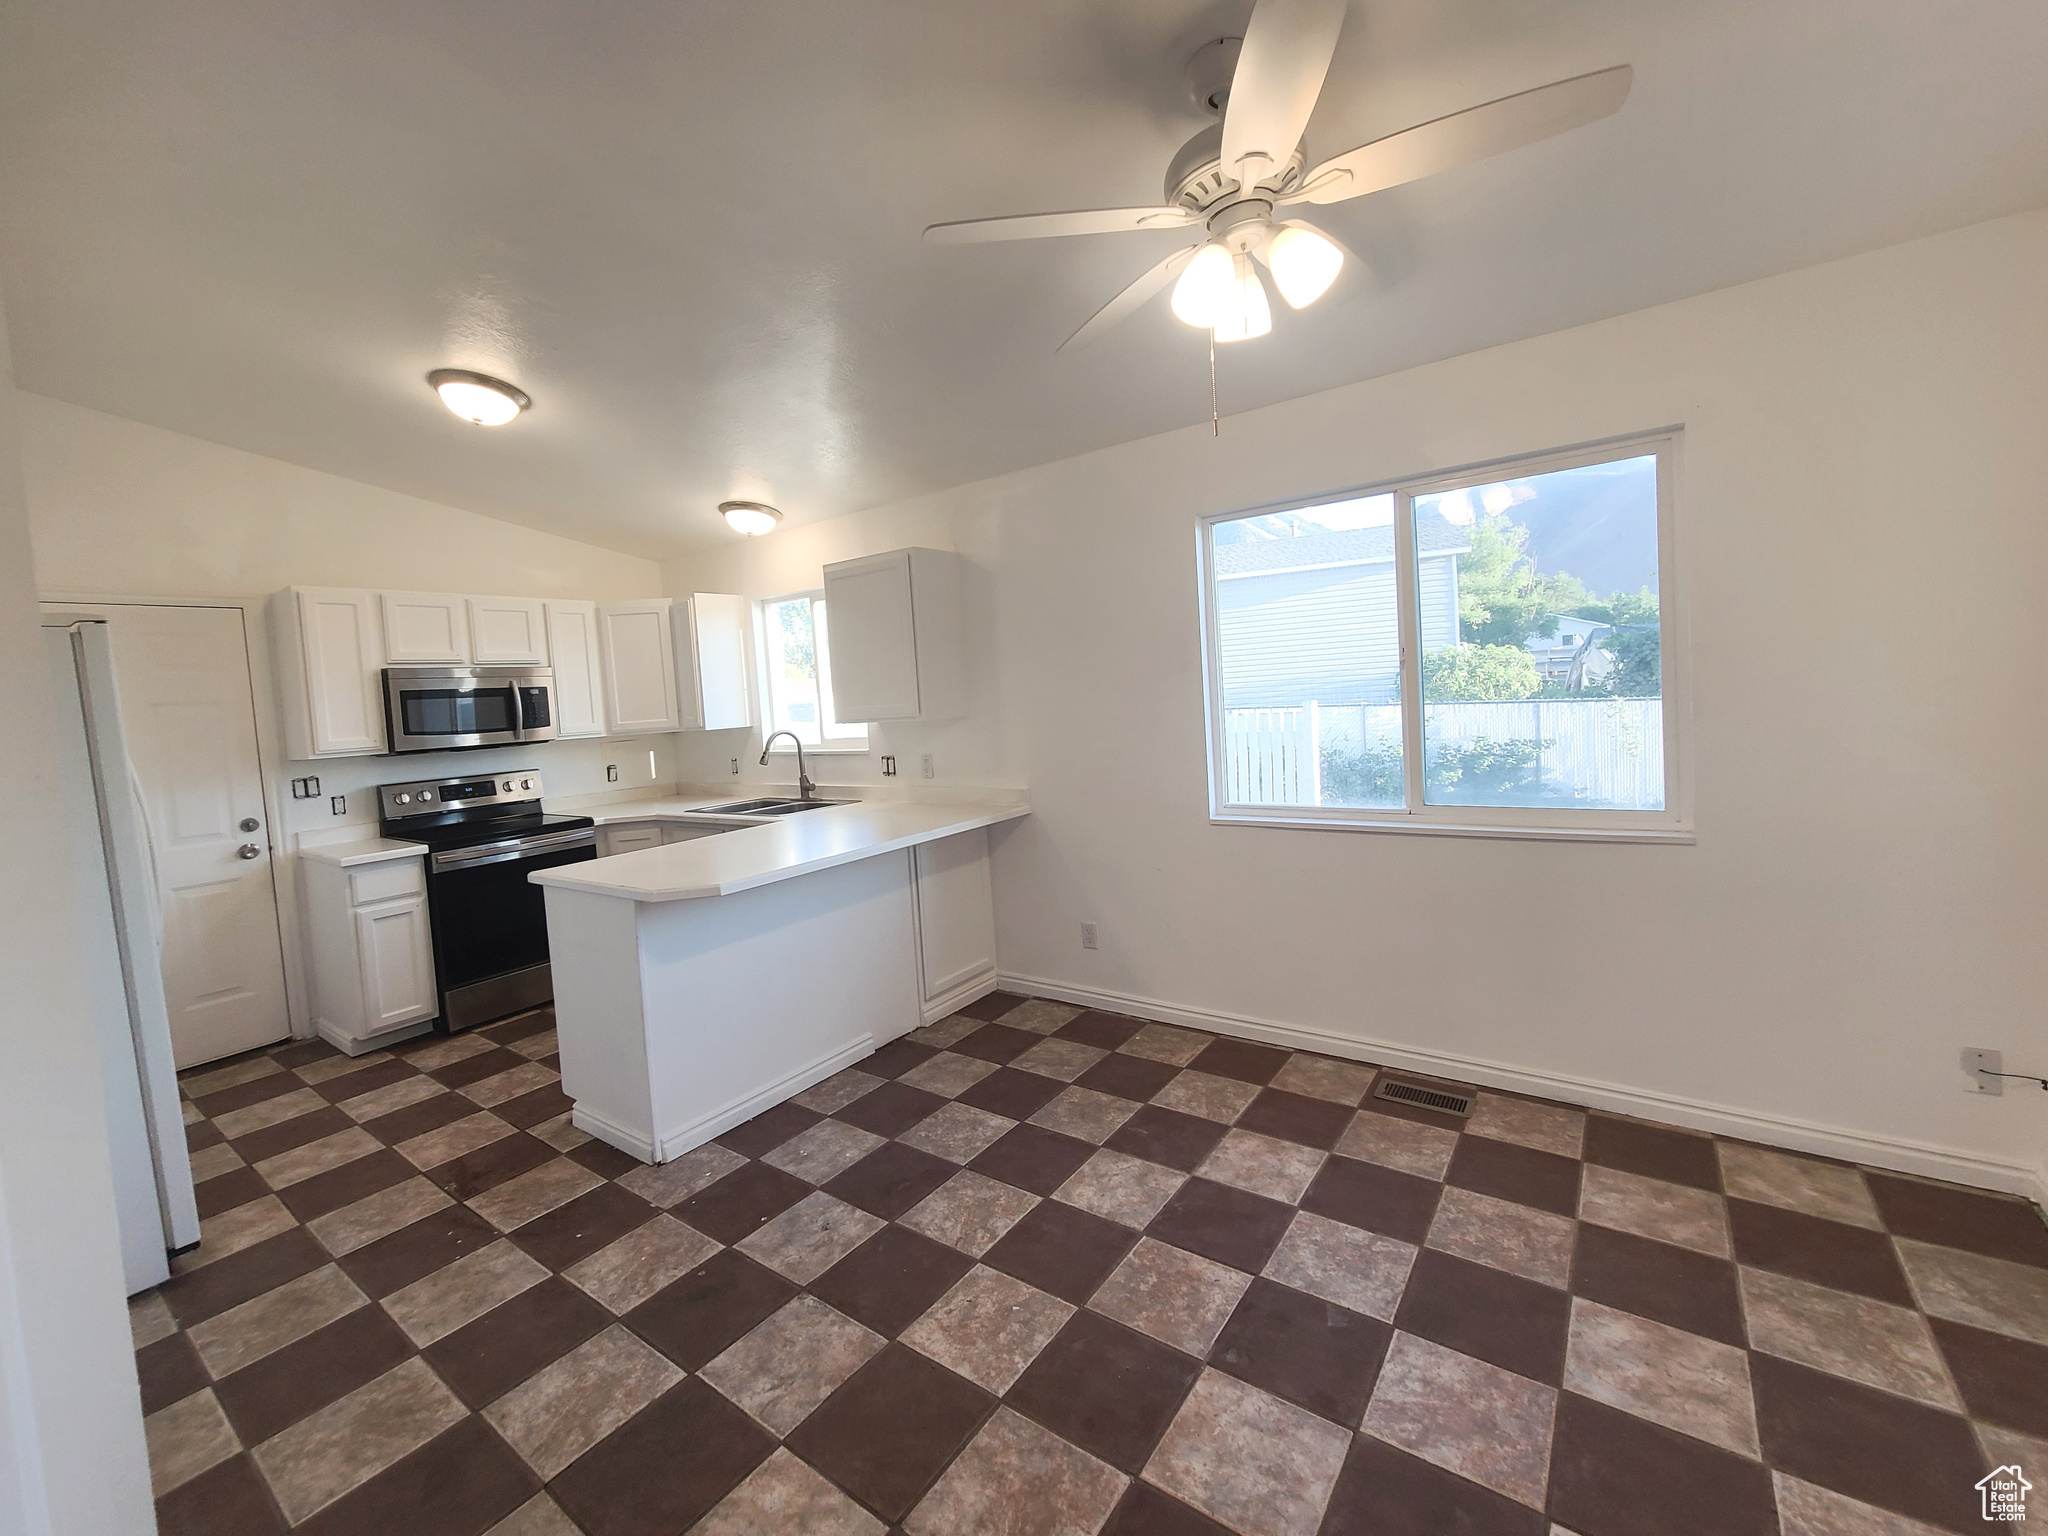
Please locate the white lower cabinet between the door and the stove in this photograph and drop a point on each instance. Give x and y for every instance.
(374, 949)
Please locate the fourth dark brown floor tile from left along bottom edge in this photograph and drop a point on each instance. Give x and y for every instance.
(890, 1428)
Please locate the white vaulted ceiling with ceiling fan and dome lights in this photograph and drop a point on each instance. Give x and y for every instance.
(689, 230)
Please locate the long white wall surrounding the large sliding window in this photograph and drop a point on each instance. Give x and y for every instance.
(1865, 552)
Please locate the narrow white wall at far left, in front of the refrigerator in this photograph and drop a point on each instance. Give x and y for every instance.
(73, 1453)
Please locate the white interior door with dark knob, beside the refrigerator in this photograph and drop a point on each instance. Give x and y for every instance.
(191, 728)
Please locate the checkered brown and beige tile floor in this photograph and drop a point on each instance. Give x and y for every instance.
(1056, 1271)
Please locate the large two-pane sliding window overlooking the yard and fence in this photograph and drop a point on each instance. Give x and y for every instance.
(1484, 652)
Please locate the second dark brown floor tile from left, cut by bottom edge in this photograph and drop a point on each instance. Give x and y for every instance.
(458, 1484)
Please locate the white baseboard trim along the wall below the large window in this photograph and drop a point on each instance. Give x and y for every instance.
(1918, 1158)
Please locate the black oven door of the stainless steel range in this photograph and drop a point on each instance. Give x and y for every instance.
(490, 925)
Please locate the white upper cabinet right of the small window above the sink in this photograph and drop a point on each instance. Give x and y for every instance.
(898, 636)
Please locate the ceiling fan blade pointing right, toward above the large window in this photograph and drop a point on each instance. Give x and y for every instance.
(1463, 138)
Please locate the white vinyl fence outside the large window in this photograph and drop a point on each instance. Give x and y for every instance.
(1596, 753)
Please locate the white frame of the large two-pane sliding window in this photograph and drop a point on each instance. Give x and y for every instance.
(1672, 824)
